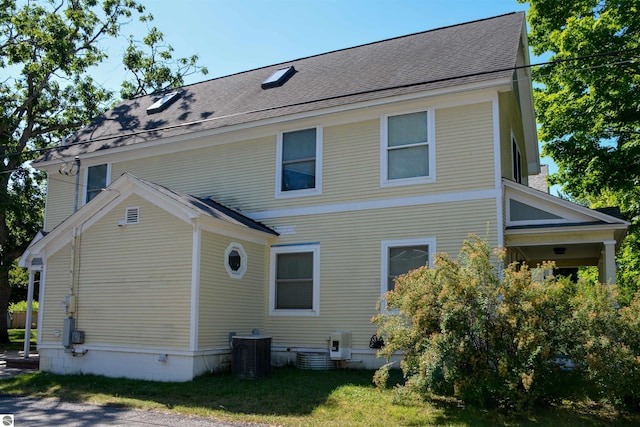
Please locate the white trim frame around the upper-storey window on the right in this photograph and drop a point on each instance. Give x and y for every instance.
(384, 158)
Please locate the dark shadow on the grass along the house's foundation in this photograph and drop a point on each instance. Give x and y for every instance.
(287, 391)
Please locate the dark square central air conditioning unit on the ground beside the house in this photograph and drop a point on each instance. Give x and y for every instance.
(251, 356)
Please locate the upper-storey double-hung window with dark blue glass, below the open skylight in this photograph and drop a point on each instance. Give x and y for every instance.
(299, 163)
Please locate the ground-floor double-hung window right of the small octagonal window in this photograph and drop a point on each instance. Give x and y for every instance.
(294, 282)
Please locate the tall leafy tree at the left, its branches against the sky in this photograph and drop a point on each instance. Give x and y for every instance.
(47, 51)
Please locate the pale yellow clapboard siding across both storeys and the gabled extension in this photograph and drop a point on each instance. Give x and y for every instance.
(135, 281)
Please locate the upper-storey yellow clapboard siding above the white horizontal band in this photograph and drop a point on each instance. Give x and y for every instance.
(241, 174)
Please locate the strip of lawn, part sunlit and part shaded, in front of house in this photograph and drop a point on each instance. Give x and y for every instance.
(292, 397)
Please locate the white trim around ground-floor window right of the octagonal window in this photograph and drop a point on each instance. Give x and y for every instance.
(275, 250)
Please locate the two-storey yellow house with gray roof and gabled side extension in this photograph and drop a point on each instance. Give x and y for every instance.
(283, 201)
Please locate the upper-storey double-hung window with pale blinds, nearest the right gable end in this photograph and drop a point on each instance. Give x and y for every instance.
(407, 149)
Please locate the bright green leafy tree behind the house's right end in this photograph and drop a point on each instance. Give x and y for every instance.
(588, 106)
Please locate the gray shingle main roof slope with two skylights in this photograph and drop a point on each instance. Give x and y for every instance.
(467, 53)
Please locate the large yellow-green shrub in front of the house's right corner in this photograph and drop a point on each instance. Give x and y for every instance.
(493, 336)
